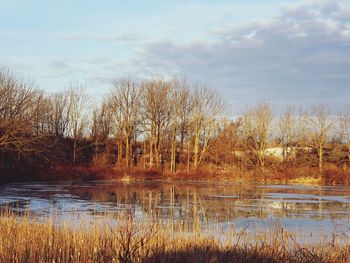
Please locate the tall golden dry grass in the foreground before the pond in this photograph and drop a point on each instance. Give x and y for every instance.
(26, 239)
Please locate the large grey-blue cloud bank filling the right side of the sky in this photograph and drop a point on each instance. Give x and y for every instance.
(302, 55)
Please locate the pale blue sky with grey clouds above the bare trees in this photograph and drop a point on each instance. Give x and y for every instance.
(284, 52)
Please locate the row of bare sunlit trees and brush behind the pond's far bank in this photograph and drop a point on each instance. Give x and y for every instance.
(167, 124)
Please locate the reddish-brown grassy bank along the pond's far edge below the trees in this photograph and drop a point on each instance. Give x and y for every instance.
(290, 175)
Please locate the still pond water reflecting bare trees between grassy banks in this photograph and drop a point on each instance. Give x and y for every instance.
(309, 210)
